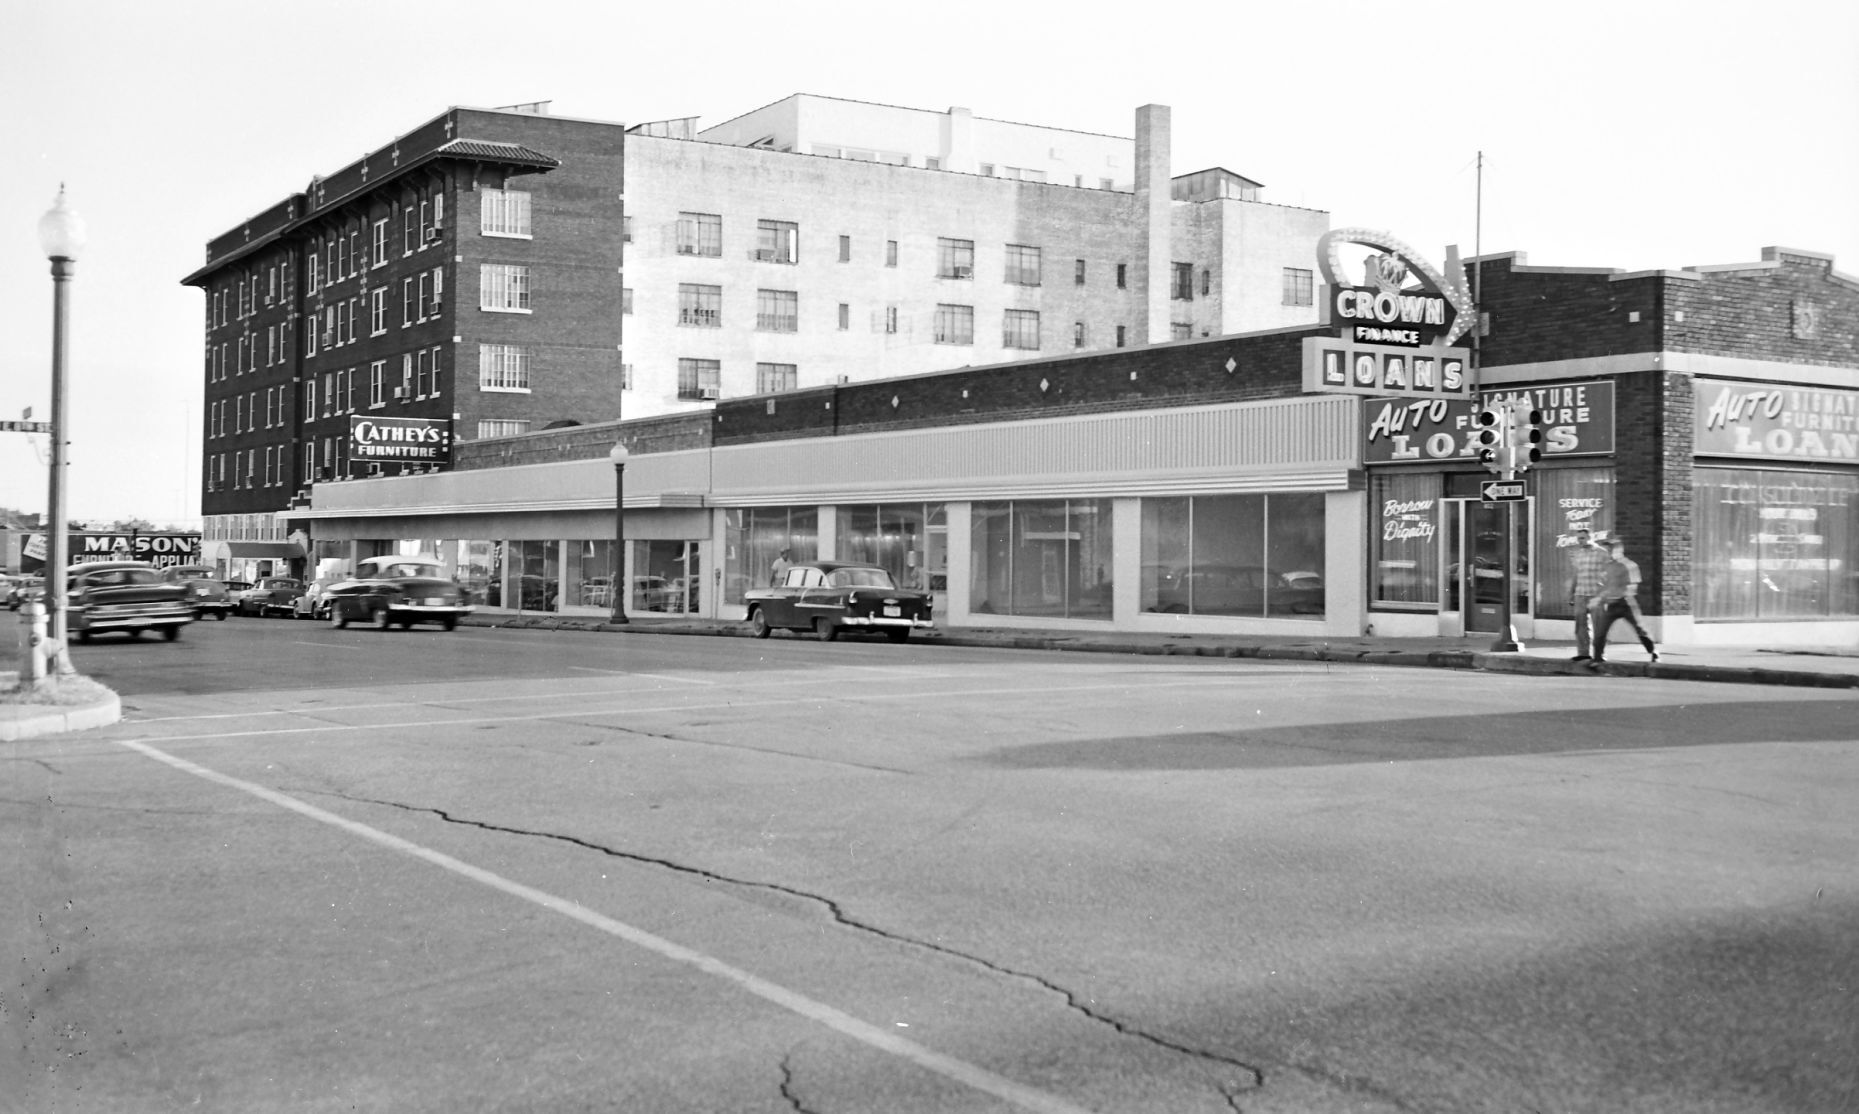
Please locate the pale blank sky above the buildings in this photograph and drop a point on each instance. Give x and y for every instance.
(1629, 135)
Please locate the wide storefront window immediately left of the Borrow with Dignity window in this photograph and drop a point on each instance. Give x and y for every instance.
(1235, 555)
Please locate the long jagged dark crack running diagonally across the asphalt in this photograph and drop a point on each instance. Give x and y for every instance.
(1254, 1074)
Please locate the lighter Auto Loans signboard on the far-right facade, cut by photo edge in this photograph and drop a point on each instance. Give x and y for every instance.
(1752, 421)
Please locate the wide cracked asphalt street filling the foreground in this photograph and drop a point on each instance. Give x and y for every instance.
(560, 871)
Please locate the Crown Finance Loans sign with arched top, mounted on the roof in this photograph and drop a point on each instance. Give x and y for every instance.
(1395, 330)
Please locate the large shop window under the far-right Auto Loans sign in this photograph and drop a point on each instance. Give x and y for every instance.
(1774, 544)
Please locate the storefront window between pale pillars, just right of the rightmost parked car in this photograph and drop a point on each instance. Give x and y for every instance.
(1046, 559)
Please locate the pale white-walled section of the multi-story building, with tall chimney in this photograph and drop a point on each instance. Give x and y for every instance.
(824, 241)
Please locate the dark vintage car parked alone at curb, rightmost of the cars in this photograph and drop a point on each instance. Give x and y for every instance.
(828, 598)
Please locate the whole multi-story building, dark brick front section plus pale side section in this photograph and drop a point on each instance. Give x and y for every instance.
(501, 272)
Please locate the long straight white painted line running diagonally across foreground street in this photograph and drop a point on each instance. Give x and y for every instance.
(795, 1001)
